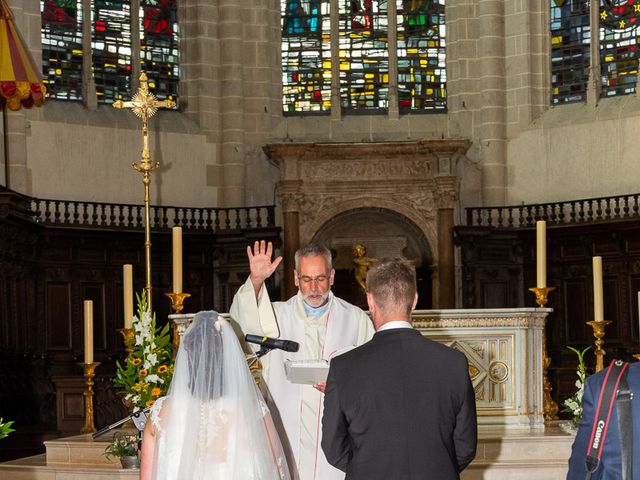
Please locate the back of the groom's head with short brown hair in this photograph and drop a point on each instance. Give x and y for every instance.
(392, 282)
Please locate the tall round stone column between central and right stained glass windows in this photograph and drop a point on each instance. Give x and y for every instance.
(493, 110)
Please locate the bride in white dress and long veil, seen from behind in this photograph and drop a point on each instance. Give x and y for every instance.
(213, 424)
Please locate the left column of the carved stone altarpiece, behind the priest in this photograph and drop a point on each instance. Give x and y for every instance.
(290, 201)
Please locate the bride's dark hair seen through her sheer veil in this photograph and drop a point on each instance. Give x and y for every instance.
(203, 344)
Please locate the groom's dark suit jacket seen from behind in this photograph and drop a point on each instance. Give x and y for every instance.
(399, 407)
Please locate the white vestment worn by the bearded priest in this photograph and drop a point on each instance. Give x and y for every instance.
(300, 407)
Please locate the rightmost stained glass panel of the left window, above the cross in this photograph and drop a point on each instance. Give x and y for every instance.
(159, 47)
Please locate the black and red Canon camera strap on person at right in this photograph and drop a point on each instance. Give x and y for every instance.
(615, 388)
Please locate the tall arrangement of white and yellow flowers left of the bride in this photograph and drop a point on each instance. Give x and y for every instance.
(147, 371)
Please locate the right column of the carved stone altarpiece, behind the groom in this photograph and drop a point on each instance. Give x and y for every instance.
(446, 198)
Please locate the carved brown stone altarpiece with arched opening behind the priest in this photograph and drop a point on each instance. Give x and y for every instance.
(415, 180)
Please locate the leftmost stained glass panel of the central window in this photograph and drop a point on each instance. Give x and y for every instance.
(306, 56)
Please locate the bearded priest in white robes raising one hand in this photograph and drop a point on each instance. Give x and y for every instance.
(321, 323)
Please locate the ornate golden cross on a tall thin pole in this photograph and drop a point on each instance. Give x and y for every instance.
(144, 104)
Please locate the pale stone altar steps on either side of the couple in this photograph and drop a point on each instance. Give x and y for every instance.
(502, 455)
